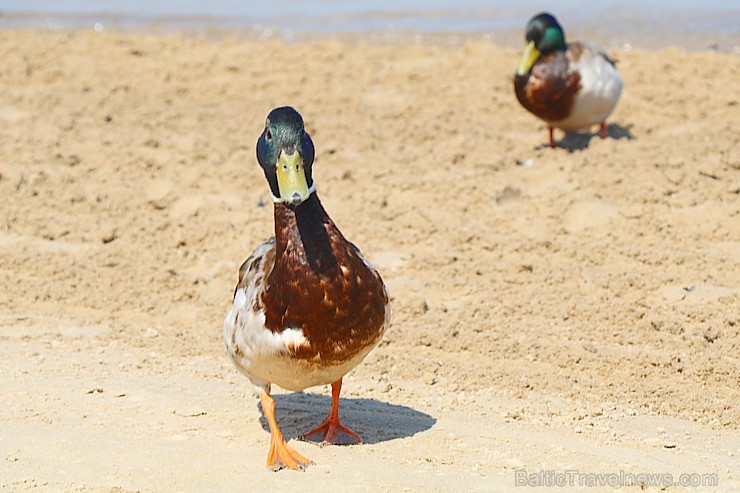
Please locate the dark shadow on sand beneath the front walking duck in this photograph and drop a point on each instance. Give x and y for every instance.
(374, 421)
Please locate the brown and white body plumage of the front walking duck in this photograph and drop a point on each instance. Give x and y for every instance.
(308, 306)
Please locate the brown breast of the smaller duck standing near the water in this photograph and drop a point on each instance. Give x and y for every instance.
(549, 89)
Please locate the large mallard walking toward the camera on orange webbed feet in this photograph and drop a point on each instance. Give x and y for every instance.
(308, 307)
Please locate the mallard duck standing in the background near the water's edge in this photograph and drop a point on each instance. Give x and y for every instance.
(568, 85)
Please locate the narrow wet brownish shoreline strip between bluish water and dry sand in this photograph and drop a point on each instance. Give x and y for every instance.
(218, 28)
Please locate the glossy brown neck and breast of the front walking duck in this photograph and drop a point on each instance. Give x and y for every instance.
(320, 284)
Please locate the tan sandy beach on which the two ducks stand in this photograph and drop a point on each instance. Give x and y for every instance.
(575, 309)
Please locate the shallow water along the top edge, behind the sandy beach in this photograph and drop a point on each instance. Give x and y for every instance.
(688, 23)
